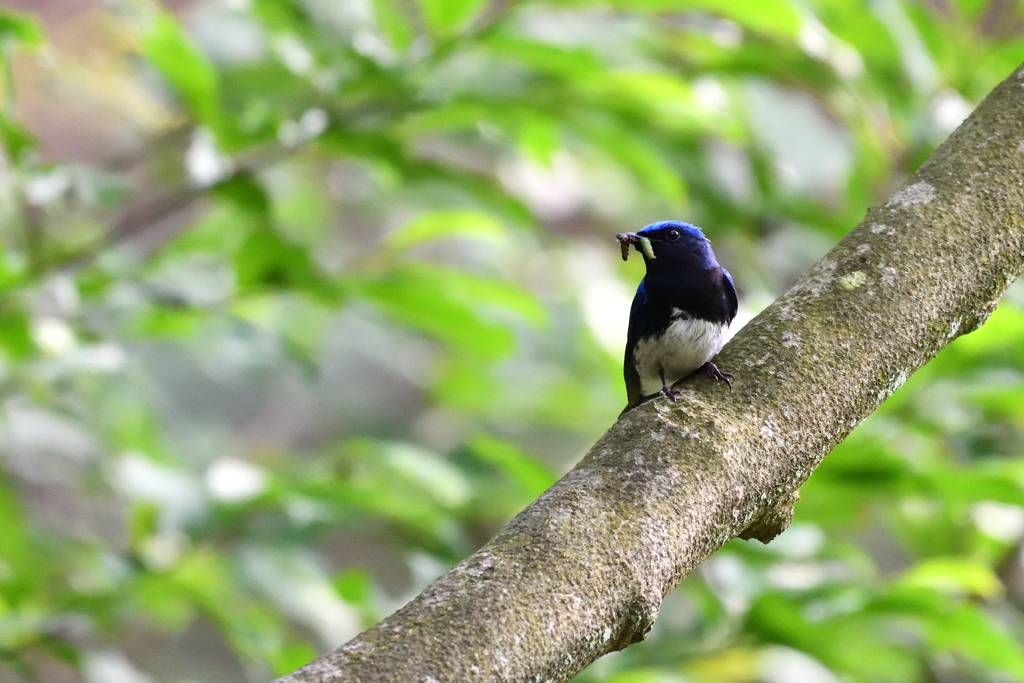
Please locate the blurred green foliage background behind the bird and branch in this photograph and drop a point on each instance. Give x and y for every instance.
(304, 300)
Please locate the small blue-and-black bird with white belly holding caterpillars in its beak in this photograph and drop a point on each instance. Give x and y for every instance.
(681, 312)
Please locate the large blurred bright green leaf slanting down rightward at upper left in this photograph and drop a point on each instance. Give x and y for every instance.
(188, 70)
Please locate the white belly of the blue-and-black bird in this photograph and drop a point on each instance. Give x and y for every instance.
(686, 346)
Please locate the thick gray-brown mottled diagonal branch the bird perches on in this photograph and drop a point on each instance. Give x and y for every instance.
(582, 571)
